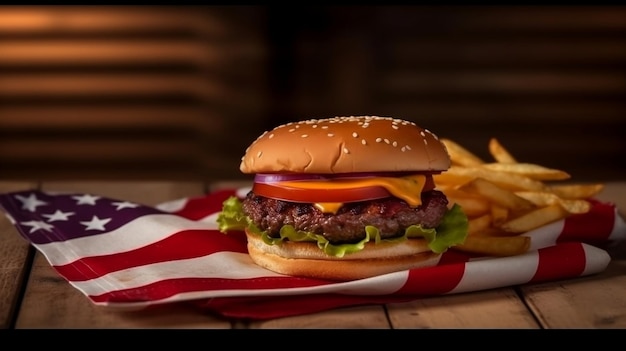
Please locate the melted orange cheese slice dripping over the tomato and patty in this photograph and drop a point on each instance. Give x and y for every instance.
(407, 188)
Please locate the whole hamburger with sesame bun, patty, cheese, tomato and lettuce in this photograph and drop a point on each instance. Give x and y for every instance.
(345, 198)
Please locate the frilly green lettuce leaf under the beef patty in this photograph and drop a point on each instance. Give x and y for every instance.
(451, 231)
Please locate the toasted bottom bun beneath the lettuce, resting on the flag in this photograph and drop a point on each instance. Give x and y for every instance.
(305, 259)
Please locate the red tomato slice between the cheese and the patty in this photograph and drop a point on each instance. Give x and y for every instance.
(277, 191)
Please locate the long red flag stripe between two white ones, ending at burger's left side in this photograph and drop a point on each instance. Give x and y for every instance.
(182, 245)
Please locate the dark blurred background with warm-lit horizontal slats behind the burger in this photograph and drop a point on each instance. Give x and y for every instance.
(173, 92)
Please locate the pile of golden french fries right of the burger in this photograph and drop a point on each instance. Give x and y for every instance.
(506, 198)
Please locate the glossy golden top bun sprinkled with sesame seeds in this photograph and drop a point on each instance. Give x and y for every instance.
(346, 145)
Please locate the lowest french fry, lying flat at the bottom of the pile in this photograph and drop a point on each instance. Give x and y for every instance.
(495, 246)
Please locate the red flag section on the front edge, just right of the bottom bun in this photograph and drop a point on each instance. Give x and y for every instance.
(433, 280)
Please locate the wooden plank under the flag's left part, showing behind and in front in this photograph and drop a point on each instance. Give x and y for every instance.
(53, 303)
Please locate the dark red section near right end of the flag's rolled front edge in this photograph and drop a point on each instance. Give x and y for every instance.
(565, 260)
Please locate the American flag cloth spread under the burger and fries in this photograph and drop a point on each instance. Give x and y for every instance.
(123, 254)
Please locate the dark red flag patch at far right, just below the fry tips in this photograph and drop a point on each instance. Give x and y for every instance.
(593, 227)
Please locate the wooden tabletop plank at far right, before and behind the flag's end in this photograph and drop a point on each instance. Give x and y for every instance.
(596, 301)
